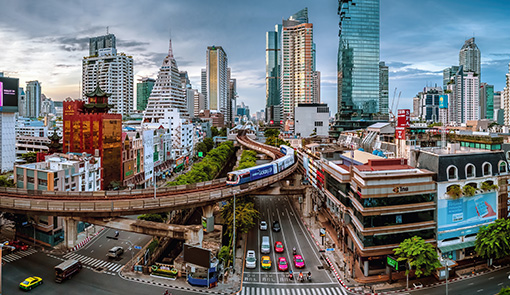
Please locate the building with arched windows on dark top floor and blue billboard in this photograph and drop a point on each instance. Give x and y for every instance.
(465, 198)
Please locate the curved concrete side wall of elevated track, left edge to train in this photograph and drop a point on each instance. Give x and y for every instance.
(118, 207)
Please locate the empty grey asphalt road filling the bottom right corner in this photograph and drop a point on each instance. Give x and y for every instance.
(485, 284)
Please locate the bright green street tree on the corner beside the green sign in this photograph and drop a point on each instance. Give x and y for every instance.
(418, 255)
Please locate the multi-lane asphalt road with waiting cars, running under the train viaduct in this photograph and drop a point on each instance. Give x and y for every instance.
(292, 234)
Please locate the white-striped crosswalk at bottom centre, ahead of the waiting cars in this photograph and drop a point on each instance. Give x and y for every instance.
(293, 291)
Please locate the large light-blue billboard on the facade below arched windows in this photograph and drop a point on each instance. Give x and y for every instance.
(463, 216)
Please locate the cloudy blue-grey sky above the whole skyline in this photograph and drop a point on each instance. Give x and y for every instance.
(46, 40)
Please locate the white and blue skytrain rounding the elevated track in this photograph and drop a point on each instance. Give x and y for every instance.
(257, 172)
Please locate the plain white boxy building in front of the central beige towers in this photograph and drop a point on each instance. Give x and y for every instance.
(312, 119)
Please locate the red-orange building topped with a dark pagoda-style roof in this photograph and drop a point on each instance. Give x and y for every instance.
(89, 128)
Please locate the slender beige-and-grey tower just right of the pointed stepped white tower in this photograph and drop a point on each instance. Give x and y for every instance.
(217, 80)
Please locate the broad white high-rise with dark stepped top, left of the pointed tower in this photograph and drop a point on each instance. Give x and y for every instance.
(113, 72)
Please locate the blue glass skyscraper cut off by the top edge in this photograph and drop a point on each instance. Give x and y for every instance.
(358, 55)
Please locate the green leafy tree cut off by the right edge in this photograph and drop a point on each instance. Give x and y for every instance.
(493, 240)
